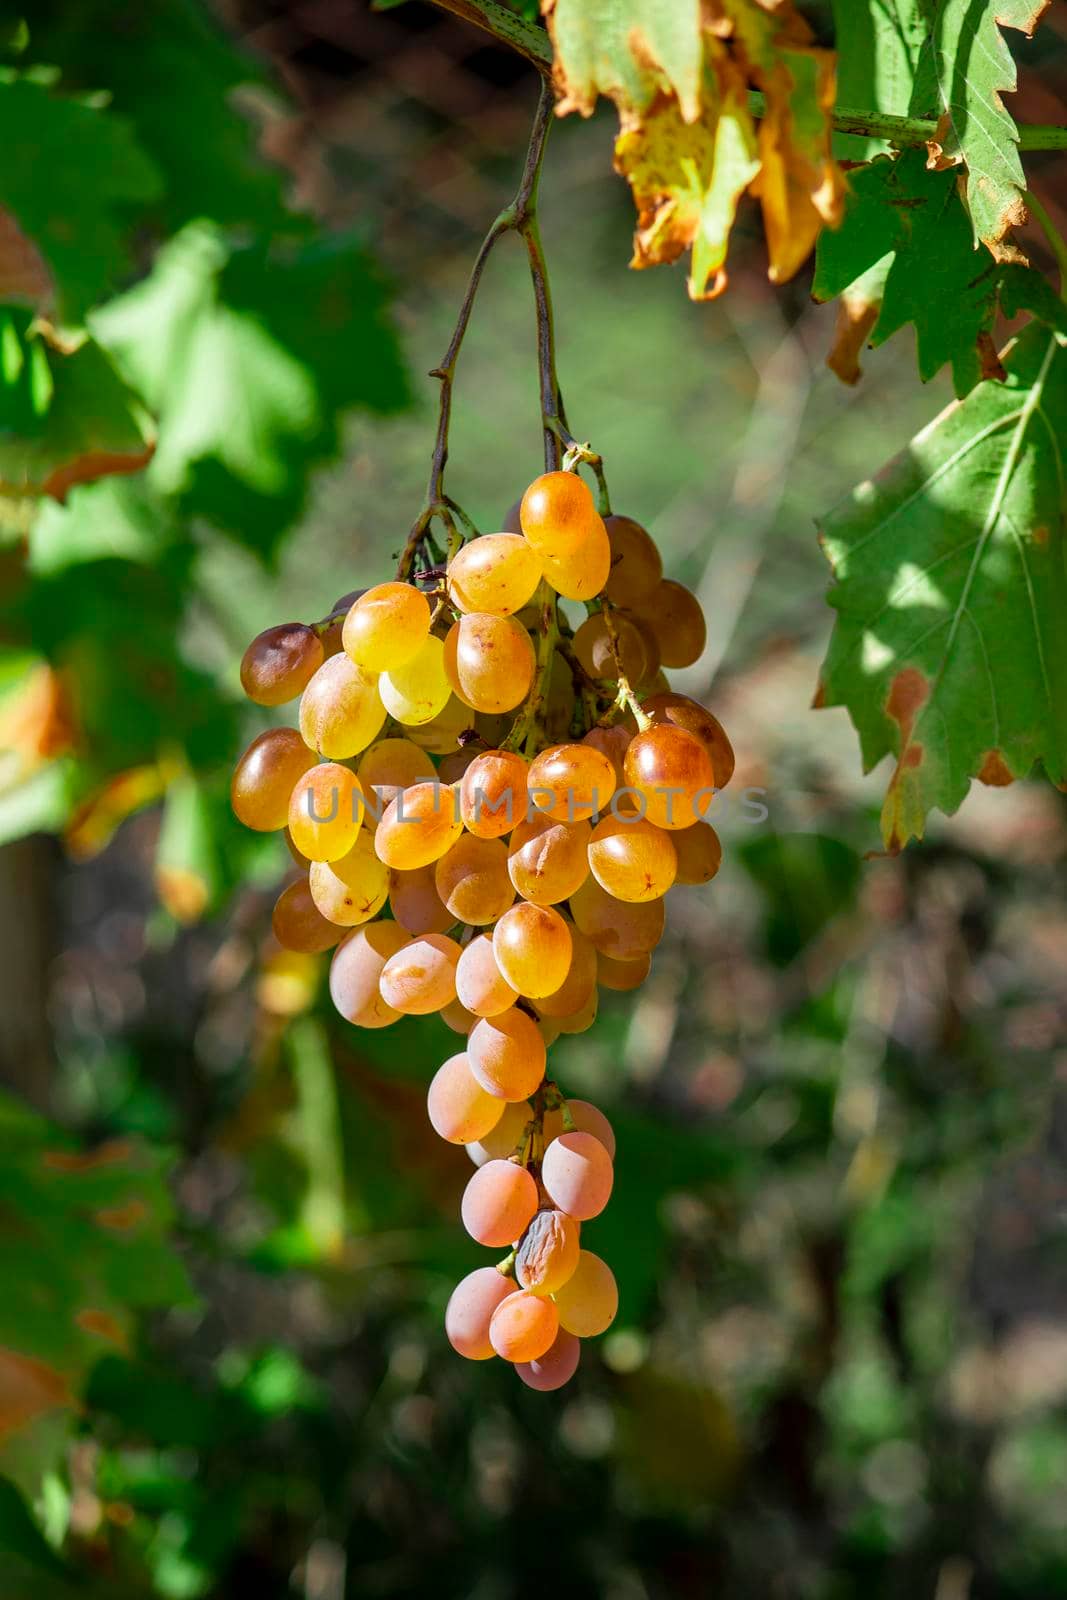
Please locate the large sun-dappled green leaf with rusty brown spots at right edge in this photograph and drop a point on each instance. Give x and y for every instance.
(951, 590)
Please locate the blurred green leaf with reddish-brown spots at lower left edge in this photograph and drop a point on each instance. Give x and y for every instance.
(87, 1234)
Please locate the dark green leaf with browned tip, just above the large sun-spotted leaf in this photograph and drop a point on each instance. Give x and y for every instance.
(906, 252)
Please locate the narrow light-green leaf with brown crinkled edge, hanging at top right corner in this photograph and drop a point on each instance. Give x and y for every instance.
(964, 73)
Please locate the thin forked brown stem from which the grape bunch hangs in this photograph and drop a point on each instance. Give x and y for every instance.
(519, 217)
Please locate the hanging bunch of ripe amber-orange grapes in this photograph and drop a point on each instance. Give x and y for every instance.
(489, 807)
